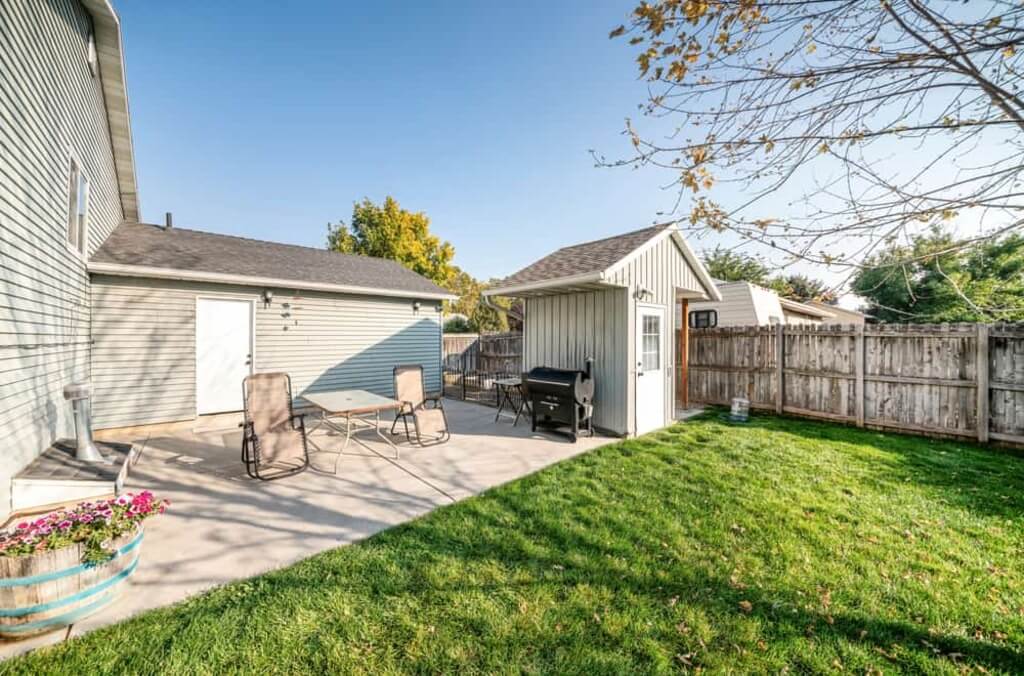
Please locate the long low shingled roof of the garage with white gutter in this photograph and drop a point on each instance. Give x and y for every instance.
(153, 251)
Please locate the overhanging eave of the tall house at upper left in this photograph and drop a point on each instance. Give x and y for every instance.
(110, 55)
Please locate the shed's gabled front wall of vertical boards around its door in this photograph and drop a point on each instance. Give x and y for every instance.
(662, 270)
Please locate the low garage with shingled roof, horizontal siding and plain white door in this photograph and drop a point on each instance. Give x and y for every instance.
(181, 318)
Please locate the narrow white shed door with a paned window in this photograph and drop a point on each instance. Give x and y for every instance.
(651, 368)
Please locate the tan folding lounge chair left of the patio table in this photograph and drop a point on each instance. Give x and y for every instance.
(274, 439)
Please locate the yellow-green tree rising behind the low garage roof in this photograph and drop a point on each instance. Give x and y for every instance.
(390, 232)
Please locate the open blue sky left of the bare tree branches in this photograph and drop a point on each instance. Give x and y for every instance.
(272, 121)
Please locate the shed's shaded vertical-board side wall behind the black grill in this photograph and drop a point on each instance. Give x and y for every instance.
(564, 330)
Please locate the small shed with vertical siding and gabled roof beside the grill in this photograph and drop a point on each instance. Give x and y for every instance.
(589, 301)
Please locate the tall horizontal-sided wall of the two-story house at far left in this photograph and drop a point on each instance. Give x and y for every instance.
(50, 105)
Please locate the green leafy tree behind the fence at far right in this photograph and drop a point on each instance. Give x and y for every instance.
(936, 278)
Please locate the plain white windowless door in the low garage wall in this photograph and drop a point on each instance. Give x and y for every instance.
(224, 353)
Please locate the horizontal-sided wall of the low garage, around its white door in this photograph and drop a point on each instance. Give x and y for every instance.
(144, 331)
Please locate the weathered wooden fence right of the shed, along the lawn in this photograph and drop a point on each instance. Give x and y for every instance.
(963, 381)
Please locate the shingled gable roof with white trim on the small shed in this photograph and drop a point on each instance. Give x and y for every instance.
(592, 263)
